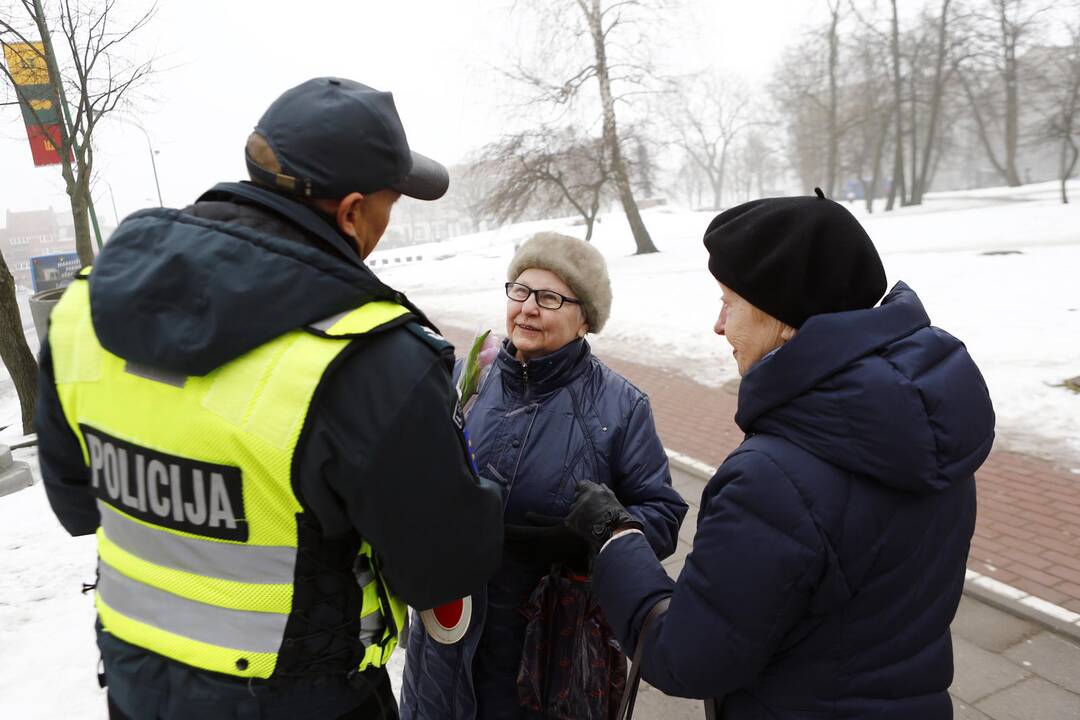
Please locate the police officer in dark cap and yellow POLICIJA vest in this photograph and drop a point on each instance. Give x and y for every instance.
(264, 436)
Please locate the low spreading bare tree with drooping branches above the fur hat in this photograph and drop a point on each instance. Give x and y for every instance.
(544, 172)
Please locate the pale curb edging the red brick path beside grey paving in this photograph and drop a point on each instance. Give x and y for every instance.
(980, 588)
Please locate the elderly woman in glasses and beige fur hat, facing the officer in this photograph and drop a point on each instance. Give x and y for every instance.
(548, 417)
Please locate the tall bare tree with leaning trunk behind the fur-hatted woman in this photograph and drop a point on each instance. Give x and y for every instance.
(602, 24)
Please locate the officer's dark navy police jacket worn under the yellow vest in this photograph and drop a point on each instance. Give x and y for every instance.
(381, 456)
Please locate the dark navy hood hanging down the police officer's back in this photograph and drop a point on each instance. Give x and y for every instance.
(186, 294)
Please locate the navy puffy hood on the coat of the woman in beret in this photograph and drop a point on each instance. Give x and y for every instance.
(877, 392)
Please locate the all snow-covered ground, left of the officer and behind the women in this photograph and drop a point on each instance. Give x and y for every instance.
(1020, 316)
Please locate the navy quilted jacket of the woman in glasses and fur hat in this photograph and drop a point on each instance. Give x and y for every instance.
(538, 430)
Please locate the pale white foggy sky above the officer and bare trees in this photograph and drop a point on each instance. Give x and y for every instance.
(222, 62)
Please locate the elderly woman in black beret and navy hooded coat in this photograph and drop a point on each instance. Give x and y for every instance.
(831, 547)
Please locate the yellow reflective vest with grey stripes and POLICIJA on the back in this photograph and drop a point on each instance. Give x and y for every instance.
(198, 541)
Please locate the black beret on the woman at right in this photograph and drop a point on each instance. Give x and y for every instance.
(795, 257)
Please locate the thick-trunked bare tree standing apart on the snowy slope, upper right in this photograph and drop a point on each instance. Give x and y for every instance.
(1003, 32)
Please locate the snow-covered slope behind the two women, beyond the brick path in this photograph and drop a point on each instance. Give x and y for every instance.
(1019, 314)
